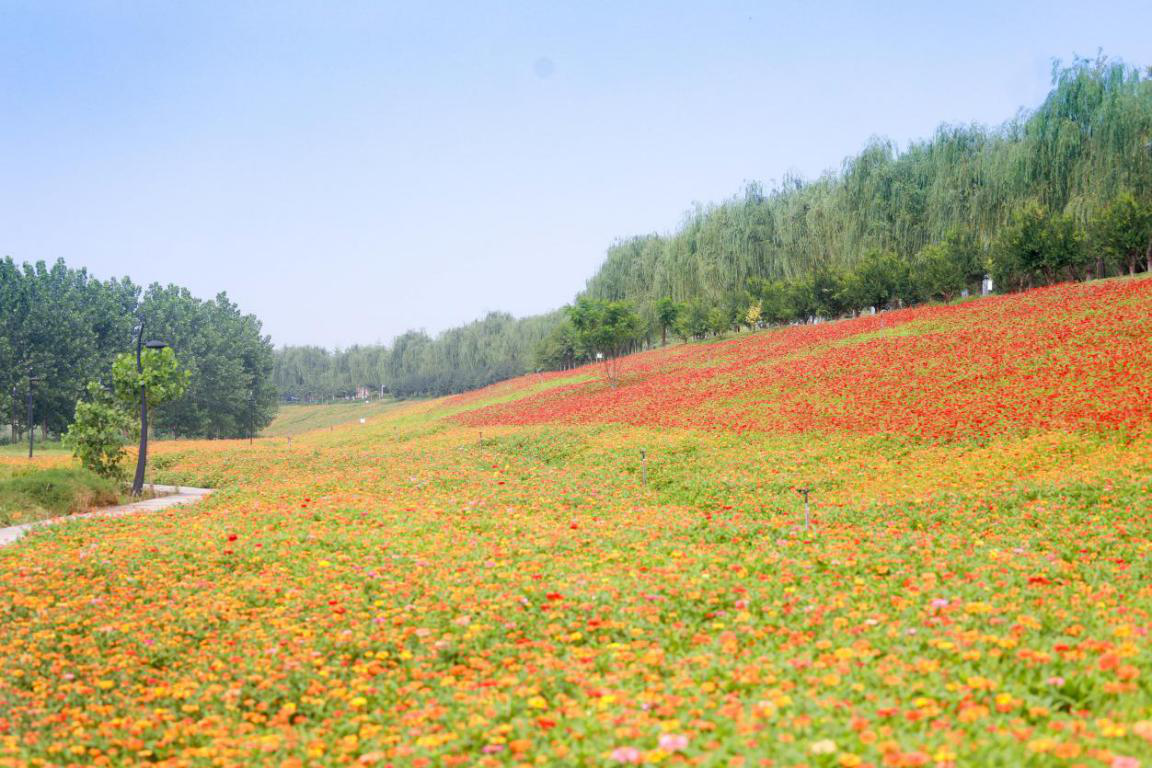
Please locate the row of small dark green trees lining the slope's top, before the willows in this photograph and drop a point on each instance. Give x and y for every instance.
(1035, 248)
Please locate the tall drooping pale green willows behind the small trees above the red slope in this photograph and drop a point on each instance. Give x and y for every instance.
(1086, 146)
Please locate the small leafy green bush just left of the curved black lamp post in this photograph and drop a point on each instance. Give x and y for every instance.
(102, 430)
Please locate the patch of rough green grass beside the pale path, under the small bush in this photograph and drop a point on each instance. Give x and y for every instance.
(39, 496)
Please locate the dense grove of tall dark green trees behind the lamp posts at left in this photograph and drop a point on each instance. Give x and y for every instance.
(63, 328)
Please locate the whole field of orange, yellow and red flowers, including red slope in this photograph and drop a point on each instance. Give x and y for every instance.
(501, 580)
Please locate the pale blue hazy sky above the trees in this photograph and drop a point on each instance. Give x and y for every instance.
(347, 171)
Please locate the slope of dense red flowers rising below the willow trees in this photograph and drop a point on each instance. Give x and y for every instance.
(1064, 358)
